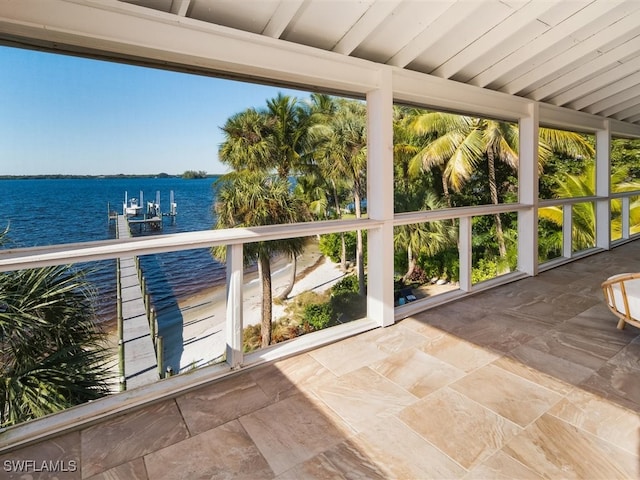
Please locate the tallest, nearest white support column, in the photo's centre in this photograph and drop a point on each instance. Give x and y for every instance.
(380, 201)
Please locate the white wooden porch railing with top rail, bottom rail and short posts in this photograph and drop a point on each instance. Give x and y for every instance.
(234, 239)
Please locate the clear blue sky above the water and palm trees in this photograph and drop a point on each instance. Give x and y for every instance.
(67, 115)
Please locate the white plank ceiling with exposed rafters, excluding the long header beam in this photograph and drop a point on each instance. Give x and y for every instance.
(579, 54)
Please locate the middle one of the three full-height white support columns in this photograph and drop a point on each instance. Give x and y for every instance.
(528, 192)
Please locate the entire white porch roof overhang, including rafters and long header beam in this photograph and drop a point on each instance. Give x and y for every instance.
(579, 60)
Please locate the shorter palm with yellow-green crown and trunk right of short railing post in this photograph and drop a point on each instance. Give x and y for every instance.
(249, 199)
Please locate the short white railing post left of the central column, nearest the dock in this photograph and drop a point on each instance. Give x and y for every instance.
(235, 269)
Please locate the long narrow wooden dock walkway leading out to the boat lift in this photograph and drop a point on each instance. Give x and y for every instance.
(140, 362)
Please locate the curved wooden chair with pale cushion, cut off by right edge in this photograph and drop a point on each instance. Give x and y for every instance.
(622, 294)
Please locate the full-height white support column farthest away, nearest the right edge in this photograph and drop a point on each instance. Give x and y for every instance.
(603, 187)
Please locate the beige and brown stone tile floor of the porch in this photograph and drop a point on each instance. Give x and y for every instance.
(530, 380)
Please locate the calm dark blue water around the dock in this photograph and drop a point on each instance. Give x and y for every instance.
(45, 212)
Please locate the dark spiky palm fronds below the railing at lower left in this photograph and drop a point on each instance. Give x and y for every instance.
(52, 353)
